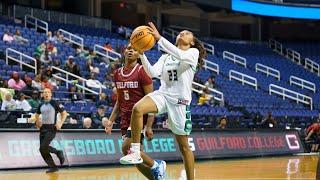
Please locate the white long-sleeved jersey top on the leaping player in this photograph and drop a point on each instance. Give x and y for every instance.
(176, 70)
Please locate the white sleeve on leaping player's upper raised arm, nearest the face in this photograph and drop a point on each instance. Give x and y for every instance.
(189, 56)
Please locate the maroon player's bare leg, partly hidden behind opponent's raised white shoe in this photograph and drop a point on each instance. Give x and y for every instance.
(143, 167)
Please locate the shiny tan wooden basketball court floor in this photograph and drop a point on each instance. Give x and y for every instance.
(289, 167)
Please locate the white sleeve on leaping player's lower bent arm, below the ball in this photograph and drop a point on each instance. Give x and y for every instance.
(156, 69)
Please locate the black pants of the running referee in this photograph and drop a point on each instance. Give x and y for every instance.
(47, 134)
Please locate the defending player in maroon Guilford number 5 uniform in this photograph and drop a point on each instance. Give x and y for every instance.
(132, 84)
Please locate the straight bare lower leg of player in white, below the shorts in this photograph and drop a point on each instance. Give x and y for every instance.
(187, 154)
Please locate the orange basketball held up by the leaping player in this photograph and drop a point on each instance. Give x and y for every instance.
(141, 39)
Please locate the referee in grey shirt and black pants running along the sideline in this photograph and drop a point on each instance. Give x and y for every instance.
(49, 110)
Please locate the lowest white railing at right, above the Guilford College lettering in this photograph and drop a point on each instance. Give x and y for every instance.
(286, 93)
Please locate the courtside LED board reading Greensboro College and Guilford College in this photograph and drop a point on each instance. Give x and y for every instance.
(19, 149)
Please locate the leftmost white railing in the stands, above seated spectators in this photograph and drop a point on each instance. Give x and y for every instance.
(20, 58)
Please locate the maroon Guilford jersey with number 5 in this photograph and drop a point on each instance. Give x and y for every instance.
(129, 84)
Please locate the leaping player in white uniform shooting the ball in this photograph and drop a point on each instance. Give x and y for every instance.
(176, 71)
